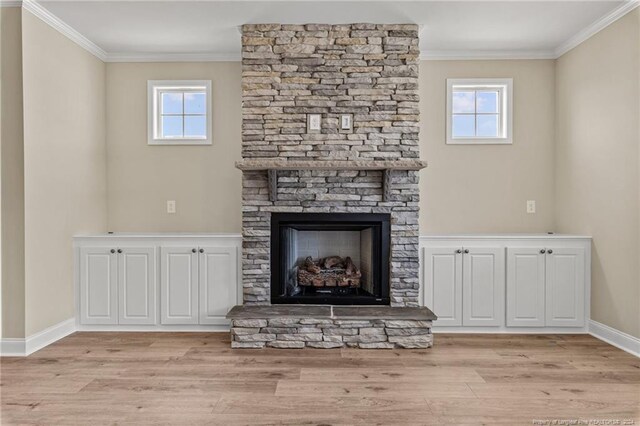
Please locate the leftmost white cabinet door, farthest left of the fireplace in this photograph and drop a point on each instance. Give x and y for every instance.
(98, 286)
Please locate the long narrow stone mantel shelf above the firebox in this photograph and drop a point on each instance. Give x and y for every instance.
(331, 165)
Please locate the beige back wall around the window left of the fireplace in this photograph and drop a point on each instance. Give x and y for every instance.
(201, 179)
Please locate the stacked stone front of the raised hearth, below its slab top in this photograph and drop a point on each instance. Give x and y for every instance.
(330, 333)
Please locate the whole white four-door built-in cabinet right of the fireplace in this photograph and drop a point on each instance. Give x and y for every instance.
(517, 283)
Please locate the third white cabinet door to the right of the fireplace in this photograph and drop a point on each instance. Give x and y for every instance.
(525, 287)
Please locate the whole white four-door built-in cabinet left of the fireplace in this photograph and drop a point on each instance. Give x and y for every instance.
(156, 281)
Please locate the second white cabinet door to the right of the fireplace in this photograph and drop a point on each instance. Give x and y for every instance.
(483, 286)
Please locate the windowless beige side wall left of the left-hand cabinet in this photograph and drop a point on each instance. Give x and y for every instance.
(65, 165)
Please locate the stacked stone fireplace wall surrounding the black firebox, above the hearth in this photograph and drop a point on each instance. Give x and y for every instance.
(366, 70)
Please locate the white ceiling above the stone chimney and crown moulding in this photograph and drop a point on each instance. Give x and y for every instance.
(449, 28)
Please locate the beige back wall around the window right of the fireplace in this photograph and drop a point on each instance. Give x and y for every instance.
(484, 188)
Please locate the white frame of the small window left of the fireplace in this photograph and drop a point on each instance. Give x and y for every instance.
(154, 89)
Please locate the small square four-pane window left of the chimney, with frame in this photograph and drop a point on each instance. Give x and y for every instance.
(179, 112)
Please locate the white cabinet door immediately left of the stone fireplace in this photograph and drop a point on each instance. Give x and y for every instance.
(218, 268)
